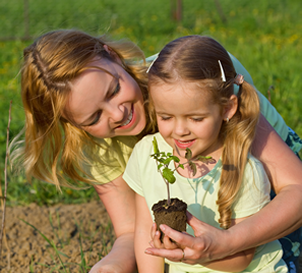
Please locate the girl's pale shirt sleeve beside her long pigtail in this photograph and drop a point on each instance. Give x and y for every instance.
(254, 193)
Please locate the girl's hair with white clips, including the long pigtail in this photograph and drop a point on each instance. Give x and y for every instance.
(195, 58)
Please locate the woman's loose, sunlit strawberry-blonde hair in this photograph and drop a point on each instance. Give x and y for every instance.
(54, 147)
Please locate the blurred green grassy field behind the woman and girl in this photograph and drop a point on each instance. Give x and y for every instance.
(264, 36)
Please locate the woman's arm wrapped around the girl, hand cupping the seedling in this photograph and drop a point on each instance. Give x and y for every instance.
(280, 217)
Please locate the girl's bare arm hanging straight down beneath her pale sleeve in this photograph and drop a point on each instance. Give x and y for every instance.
(145, 263)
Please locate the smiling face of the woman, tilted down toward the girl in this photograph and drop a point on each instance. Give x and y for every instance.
(107, 106)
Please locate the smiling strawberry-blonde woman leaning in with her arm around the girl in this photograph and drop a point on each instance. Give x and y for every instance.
(84, 100)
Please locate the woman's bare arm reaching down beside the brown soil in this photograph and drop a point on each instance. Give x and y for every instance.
(118, 199)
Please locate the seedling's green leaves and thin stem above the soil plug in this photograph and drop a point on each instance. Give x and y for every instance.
(163, 160)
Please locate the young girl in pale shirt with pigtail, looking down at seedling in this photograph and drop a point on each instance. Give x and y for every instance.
(191, 89)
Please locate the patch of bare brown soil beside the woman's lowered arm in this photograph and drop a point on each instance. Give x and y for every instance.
(75, 229)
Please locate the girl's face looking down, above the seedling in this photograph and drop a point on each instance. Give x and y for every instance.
(187, 118)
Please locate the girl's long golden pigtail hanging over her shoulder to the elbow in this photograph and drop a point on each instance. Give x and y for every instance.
(239, 134)
